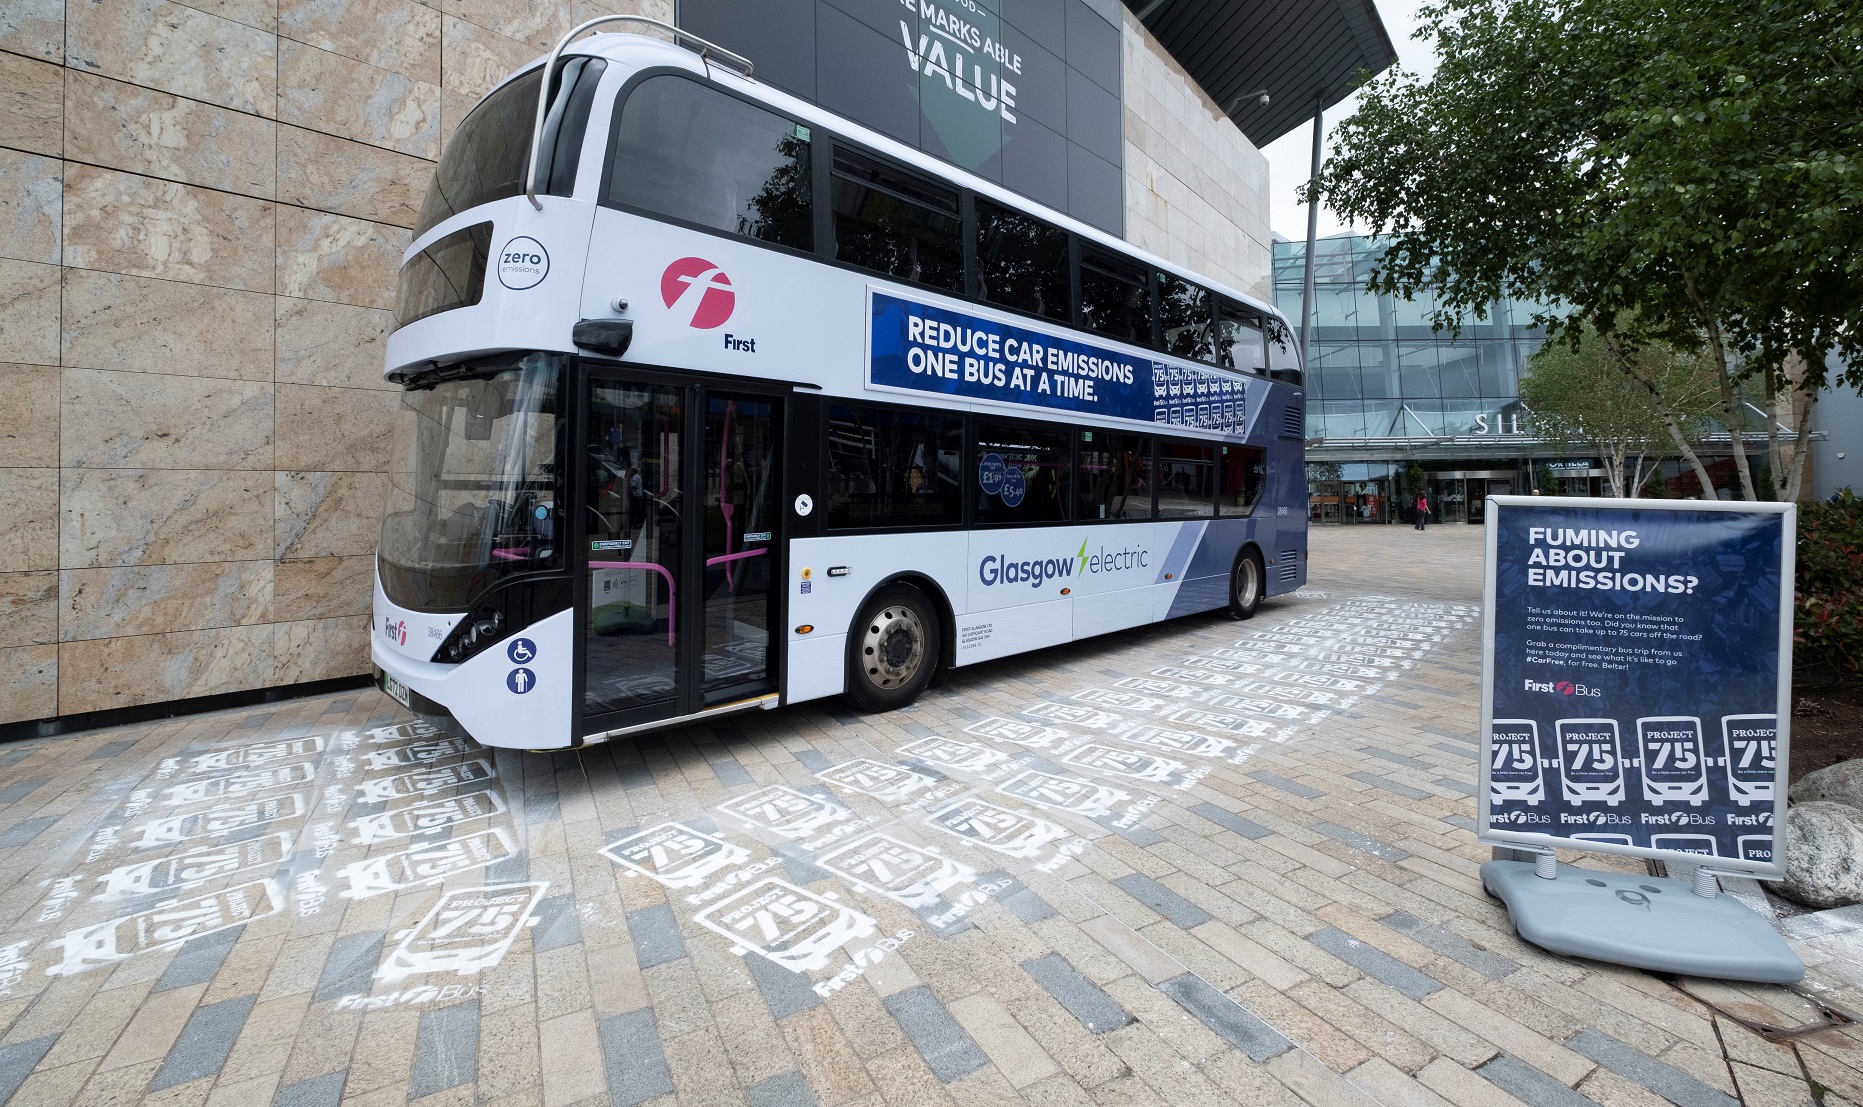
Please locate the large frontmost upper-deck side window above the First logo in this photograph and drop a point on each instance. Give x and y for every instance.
(700, 156)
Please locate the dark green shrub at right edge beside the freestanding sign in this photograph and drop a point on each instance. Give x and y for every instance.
(1829, 620)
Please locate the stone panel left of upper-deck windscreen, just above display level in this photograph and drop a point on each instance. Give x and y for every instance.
(351, 178)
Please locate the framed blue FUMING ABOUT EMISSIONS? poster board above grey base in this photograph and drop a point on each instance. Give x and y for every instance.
(1635, 677)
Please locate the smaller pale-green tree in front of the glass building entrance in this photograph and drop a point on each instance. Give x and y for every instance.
(1581, 400)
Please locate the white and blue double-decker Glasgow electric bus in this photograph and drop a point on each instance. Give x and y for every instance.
(718, 402)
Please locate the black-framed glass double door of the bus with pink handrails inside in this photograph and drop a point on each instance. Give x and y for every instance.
(681, 487)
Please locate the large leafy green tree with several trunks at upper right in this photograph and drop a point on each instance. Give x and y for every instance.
(1657, 171)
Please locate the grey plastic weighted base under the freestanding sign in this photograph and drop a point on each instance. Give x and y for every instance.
(1642, 922)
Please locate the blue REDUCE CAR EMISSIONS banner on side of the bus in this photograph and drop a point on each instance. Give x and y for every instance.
(919, 348)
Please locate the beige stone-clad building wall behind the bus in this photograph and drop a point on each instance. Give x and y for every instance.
(202, 213)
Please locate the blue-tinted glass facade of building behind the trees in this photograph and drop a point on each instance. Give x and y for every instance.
(1378, 368)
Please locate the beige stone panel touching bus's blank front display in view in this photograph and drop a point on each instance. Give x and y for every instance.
(334, 258)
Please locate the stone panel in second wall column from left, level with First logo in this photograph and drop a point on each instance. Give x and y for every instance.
(143, 325)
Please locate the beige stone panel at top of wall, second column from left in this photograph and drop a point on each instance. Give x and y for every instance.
(176, 49)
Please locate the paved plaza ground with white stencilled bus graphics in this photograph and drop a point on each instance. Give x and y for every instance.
(1197, 864)
